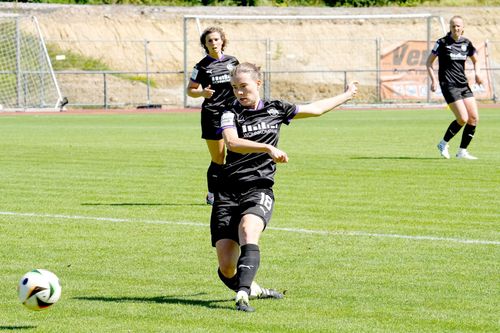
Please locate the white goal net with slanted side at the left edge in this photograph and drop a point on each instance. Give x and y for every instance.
(27, 80)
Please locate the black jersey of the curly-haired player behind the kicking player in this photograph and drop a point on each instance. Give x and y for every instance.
(216, 73)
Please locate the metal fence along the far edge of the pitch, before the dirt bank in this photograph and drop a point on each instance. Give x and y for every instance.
(151, 73)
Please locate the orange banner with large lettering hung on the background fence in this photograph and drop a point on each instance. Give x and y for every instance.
(408, 79)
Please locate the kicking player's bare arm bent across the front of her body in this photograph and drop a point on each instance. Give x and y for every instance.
(244, 146)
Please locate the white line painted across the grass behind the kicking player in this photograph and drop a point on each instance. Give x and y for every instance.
(294, 230)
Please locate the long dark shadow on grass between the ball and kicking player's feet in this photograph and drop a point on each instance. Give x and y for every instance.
(184, 300)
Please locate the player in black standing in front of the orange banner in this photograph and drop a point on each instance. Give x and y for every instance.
(452, 51)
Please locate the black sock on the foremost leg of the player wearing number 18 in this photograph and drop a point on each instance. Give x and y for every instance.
(248, 264)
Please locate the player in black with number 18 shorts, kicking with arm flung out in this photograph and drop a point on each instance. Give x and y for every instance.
(244, 203)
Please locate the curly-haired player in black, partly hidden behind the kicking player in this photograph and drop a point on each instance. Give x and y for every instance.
(210, 80)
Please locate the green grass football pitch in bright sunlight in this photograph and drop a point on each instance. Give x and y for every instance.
(372, 230)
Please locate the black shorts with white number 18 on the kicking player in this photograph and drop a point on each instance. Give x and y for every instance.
(229, 208)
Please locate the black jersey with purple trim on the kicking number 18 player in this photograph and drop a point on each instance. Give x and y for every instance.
(260, 125)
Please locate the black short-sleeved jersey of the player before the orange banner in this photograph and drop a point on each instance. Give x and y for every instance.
(452, 56)
